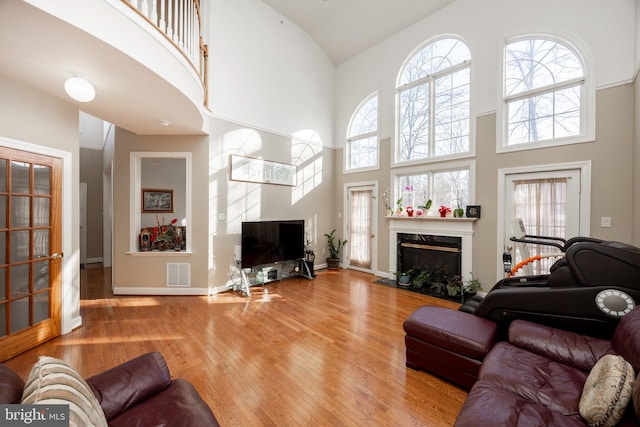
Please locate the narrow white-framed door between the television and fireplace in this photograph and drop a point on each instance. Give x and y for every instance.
(361, 226)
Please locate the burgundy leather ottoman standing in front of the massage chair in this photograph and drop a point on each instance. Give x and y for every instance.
(448, 343)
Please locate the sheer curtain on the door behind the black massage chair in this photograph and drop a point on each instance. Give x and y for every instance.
(542, 205)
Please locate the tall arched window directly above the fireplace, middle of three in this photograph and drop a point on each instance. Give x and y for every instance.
(434, 90)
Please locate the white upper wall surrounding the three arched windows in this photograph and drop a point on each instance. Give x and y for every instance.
(606, 28)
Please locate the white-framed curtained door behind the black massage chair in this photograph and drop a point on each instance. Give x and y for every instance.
(550, 201)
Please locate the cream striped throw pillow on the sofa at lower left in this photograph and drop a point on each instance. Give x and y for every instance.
(53, 381)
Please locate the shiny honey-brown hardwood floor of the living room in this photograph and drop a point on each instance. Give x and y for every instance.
(329, 351)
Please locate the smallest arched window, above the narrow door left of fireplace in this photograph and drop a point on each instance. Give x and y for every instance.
(362, 138)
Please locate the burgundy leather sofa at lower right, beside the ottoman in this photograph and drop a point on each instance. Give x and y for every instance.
(536, 376)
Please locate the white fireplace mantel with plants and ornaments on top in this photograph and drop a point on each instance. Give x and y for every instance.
(453, 227)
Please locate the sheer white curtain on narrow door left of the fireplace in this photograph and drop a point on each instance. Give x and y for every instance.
(360, 228)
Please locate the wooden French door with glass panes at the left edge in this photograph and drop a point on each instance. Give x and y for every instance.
(30, 250)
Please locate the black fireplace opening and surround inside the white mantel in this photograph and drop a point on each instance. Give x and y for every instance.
(428, 252)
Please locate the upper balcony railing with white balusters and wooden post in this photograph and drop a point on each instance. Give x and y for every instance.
(180, 22)
